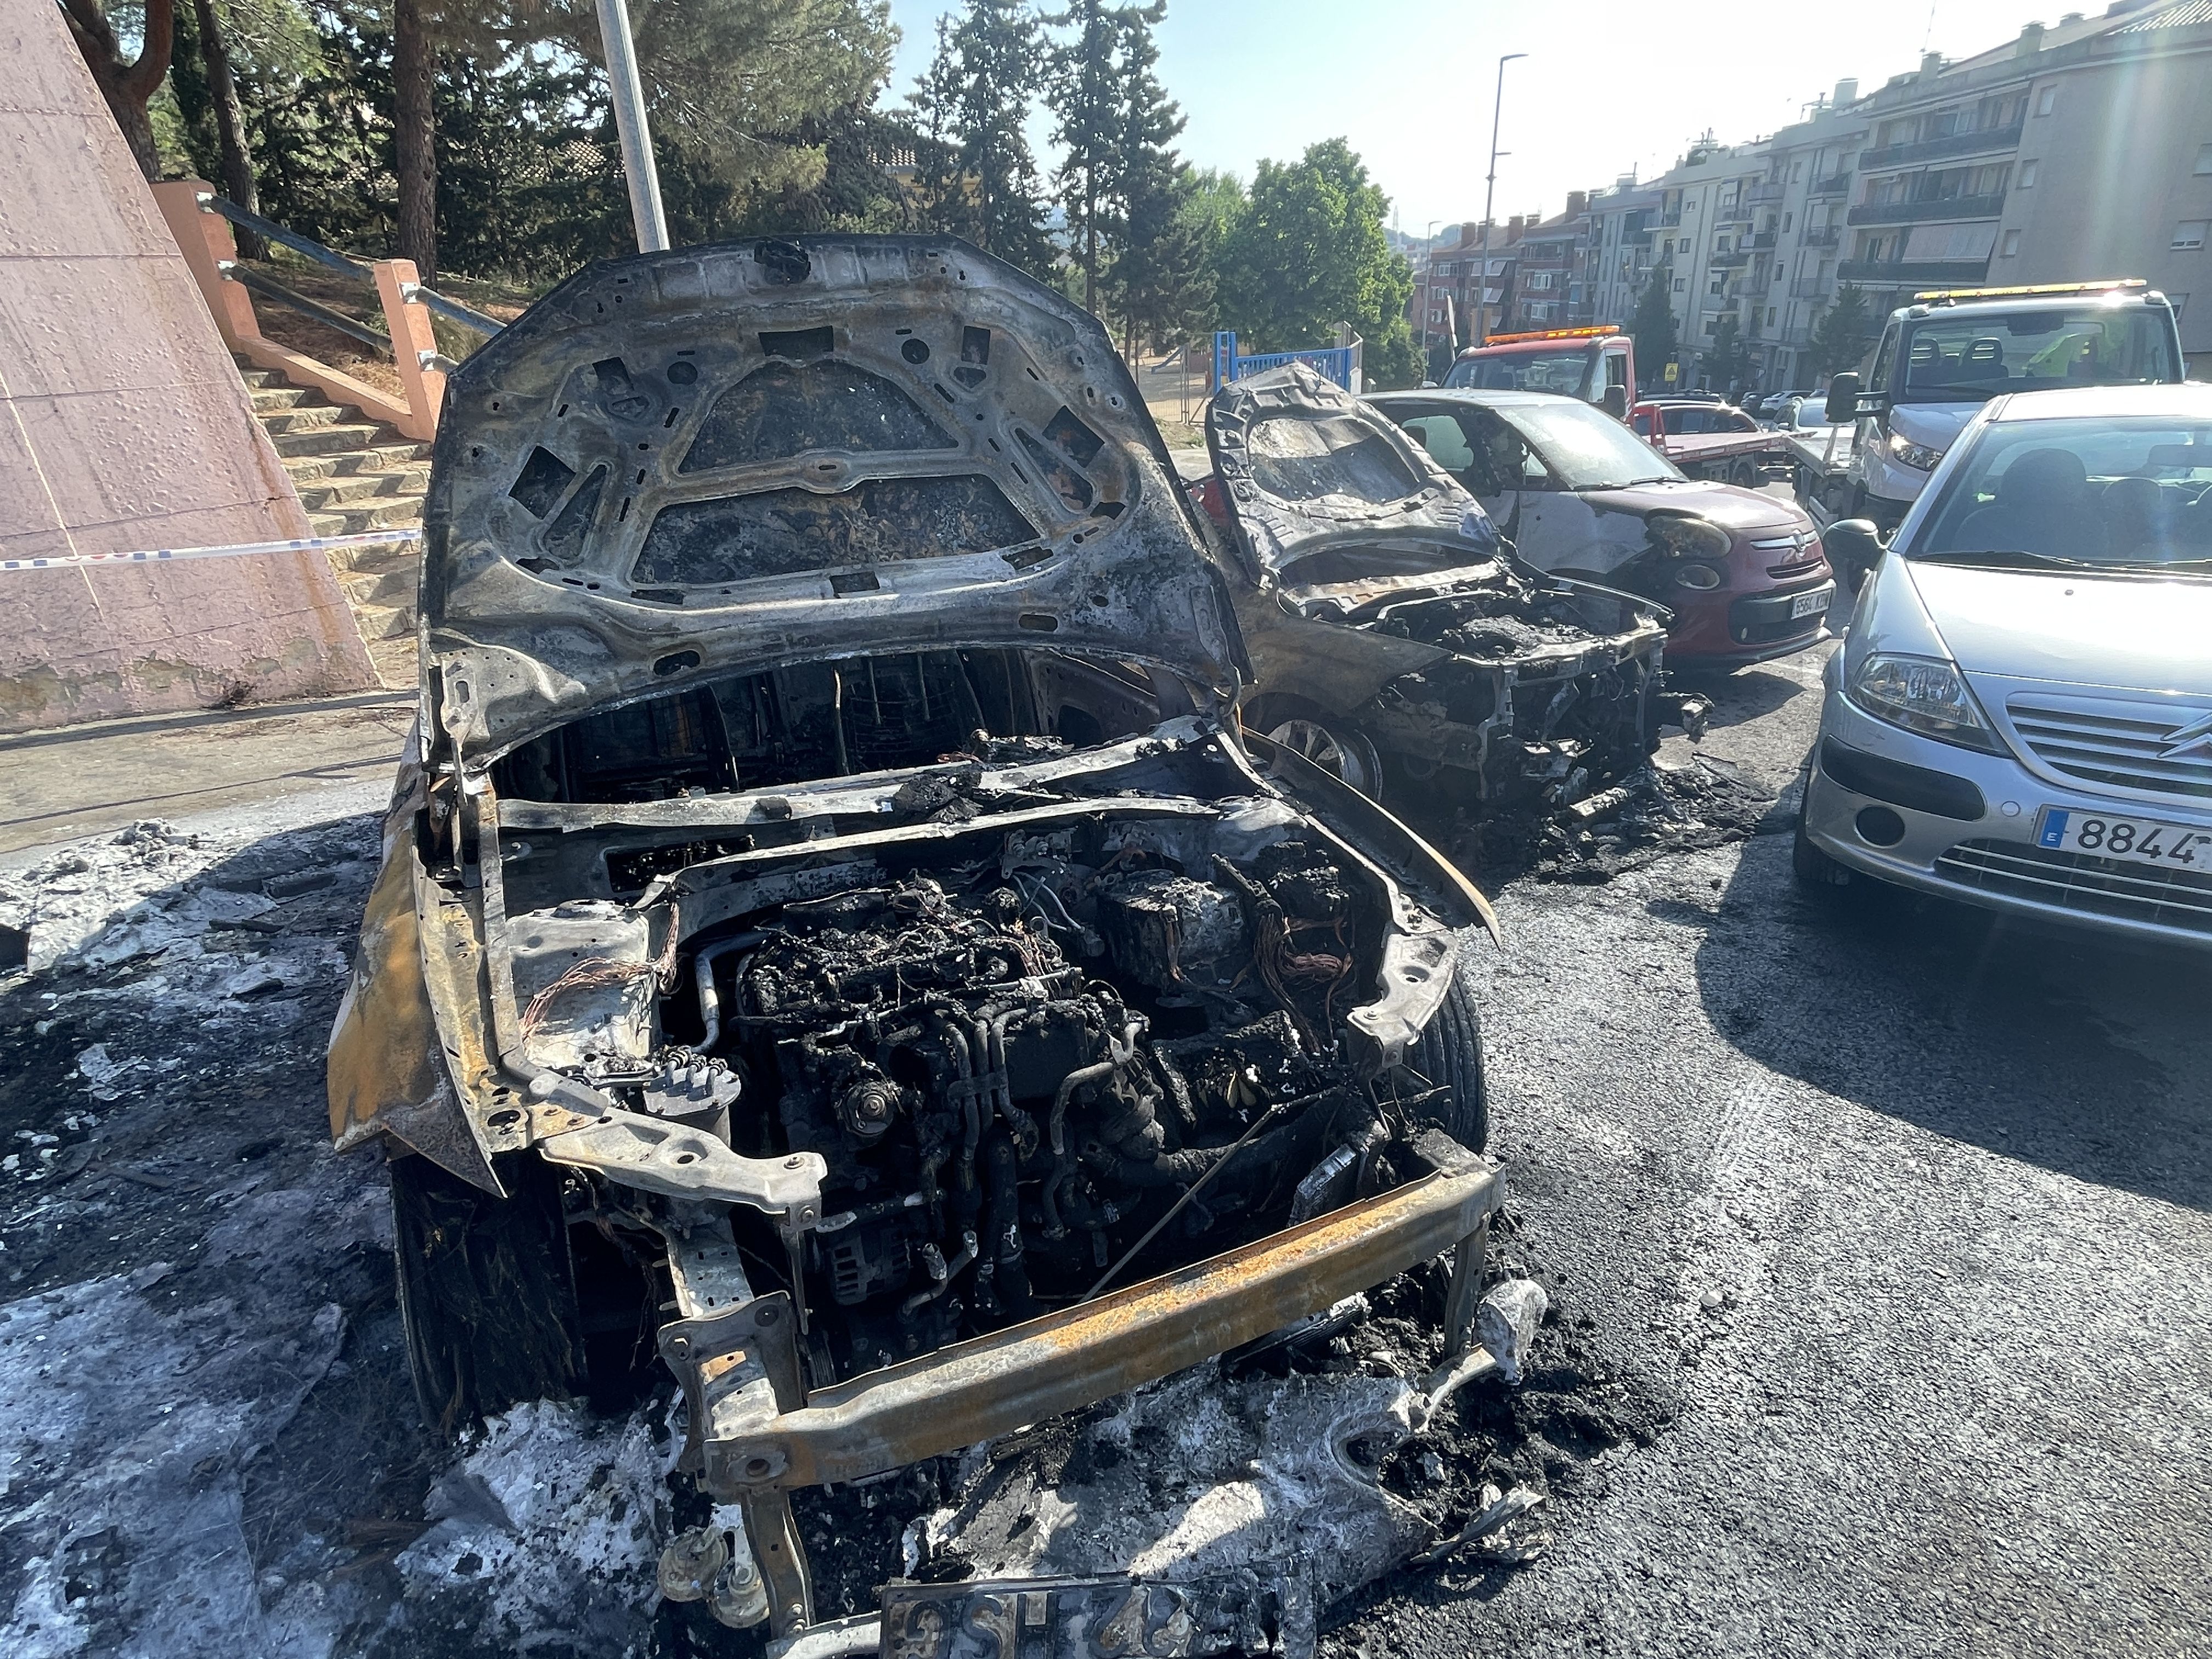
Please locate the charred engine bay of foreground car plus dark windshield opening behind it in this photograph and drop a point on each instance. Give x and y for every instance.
(1105, 1041)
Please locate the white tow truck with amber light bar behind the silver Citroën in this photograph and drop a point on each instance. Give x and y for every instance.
(1952, 351)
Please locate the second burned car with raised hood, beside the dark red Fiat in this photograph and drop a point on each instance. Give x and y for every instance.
(1395, 638)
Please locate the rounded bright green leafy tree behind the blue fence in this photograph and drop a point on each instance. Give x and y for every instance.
(1308, 253)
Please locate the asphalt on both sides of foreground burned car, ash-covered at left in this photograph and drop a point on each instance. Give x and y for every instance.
(1881, 1229)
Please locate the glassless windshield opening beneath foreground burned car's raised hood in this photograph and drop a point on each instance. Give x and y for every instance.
(837, 720)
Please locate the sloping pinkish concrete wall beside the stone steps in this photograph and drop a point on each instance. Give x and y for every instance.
(125, 426)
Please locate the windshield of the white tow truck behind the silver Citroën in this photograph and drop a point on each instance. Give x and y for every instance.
(1976, 355)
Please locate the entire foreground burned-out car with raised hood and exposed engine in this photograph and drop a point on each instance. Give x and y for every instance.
(835, 941)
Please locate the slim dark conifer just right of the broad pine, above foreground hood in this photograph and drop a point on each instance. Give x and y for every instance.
(974, 105)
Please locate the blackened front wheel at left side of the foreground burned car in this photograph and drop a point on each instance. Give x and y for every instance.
(488, 1291)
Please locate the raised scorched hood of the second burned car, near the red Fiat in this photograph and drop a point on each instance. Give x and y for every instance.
(1304, 466)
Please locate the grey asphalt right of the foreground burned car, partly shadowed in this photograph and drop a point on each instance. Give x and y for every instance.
(1895, 1222)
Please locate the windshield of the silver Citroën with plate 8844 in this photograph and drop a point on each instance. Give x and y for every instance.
(2122, 492)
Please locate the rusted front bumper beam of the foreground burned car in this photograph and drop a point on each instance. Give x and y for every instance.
(1083, 1355)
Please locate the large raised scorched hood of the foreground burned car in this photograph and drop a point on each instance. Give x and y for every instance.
(747, 457)
